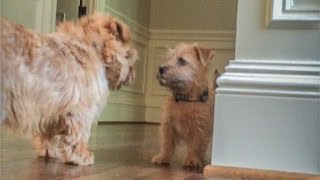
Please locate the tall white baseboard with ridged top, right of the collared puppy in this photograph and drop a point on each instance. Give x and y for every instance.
(267, 116)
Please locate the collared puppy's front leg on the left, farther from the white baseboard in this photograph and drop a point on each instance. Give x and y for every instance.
(167, 144)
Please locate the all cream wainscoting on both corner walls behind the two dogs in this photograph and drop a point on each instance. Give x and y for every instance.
(145, 92)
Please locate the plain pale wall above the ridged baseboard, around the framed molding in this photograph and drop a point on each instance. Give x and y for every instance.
(255, 41)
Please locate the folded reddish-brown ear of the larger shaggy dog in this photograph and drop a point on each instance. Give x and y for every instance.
(119, 30)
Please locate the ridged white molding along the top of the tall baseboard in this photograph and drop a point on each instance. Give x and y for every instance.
(284, 78)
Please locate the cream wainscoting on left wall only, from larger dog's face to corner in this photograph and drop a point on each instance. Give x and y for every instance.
(128, 104)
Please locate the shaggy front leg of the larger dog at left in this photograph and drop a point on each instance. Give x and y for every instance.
(71, 146)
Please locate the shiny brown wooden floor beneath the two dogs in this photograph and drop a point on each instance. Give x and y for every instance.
(122, 151)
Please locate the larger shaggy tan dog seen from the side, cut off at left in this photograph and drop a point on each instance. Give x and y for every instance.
(53, 85)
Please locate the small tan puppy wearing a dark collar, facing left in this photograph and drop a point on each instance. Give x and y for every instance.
(188, 113)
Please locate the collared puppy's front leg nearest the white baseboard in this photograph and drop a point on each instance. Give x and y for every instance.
(196, 149)
